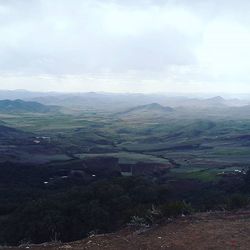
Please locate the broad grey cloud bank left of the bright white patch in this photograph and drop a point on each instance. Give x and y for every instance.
(94, 37)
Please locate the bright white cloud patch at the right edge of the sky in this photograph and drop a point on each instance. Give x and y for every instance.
(226, 49)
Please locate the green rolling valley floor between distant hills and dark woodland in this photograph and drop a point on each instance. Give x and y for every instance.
(191, 142)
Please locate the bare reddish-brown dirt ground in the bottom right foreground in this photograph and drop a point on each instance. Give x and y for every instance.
(201, 231)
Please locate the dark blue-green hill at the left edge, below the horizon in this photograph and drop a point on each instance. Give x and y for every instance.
(24, 106)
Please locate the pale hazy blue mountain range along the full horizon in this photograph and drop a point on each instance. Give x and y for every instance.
(117, 102)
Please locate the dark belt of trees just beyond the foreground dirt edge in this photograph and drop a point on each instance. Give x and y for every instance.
(33, 212)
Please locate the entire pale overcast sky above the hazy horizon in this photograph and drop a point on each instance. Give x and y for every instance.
(158, 46)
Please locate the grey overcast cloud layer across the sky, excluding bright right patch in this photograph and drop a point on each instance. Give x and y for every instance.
(75, 37)
